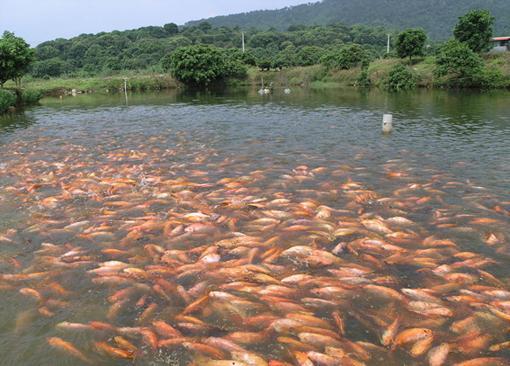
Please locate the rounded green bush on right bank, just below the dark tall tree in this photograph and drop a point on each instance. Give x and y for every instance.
(460, 64)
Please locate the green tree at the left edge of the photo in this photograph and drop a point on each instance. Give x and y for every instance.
(15, 58)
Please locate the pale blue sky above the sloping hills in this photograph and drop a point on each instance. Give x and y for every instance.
(42, 20)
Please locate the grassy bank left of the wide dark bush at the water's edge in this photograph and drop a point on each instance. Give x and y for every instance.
(98, 84)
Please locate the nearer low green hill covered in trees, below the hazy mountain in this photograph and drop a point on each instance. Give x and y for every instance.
(146, 48)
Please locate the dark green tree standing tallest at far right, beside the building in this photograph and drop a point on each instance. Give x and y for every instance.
(475, 29)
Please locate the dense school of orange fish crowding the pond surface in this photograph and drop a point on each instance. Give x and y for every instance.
(202, 258)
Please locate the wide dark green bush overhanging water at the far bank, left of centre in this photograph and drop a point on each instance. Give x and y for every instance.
(202, 65)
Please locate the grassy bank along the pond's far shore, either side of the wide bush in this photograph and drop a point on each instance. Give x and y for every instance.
(316, 76)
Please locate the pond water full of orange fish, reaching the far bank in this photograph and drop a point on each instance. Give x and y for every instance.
(234, 229)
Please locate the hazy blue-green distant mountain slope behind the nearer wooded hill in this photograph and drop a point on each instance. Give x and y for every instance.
(437, 17)
